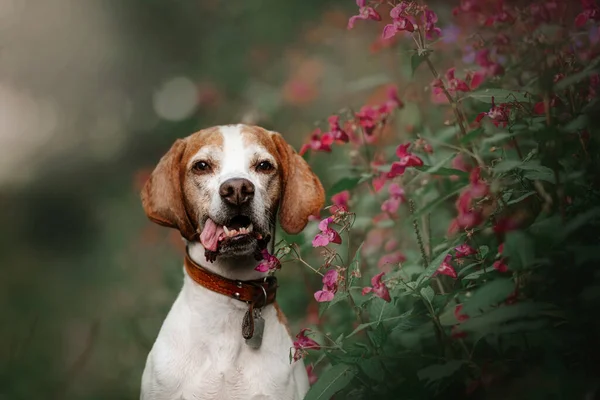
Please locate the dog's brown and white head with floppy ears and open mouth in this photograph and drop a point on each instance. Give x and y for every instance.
(224, 185)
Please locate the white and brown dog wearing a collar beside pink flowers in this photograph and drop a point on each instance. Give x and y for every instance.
(225, 337)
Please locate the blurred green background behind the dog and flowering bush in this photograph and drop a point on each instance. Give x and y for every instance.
(92, 93)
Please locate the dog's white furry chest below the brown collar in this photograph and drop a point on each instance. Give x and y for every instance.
(200, 354)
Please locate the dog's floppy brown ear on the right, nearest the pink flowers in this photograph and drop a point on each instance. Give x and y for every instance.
(302, 192)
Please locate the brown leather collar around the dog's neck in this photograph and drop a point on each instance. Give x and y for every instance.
(250, 292)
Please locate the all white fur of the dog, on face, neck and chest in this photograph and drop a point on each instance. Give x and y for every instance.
(199, 352)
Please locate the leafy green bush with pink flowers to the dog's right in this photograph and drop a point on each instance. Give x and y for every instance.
(459, 252)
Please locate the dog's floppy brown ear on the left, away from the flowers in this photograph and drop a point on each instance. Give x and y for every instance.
(162, 195)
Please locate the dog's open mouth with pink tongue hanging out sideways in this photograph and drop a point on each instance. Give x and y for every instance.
(238, 230)
